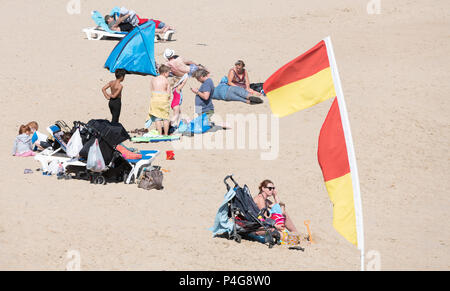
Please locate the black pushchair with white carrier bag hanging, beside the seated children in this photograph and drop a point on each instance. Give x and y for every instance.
(109, 135)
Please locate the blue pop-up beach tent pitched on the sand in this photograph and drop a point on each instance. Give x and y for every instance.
(135, 53)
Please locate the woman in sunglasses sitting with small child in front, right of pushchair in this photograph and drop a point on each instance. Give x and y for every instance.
(276, 208)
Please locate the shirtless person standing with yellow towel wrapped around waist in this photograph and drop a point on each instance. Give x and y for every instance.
(160, 100)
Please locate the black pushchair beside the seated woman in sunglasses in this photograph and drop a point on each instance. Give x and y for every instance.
(245, 214)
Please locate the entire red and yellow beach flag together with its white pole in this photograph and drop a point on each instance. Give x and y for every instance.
(308, 80)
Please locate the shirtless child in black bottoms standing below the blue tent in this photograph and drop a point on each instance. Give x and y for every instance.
(115, 102)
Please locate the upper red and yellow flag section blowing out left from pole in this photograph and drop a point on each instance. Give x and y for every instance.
(301, 83)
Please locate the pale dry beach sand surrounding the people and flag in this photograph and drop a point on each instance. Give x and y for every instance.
(394, 70)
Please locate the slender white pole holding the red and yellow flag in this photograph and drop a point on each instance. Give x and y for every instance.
(350, 149)
